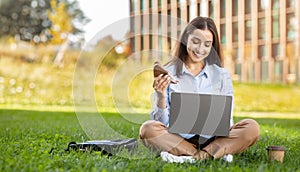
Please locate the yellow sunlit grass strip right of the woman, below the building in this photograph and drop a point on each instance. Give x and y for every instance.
(267, 98)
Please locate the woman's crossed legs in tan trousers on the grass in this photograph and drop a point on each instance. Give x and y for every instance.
(242, 135)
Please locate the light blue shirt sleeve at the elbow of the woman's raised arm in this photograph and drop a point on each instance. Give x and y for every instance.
(160, 114)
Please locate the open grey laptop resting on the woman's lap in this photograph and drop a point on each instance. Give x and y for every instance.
(203, 114)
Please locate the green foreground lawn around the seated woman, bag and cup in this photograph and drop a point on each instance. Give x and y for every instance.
(28, 136)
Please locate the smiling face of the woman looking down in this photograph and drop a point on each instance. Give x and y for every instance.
(199, 44)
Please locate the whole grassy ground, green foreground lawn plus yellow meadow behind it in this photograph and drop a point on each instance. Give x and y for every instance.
(37, 115)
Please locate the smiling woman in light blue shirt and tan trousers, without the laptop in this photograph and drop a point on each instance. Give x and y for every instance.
(198, 66)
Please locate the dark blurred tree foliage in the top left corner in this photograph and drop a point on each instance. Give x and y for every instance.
(23, 18)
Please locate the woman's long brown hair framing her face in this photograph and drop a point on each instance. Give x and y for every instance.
(180, 52)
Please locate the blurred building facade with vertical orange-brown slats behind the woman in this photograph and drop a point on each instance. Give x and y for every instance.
(260, 38)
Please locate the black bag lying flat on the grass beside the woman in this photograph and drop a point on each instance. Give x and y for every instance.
(108, 147)
